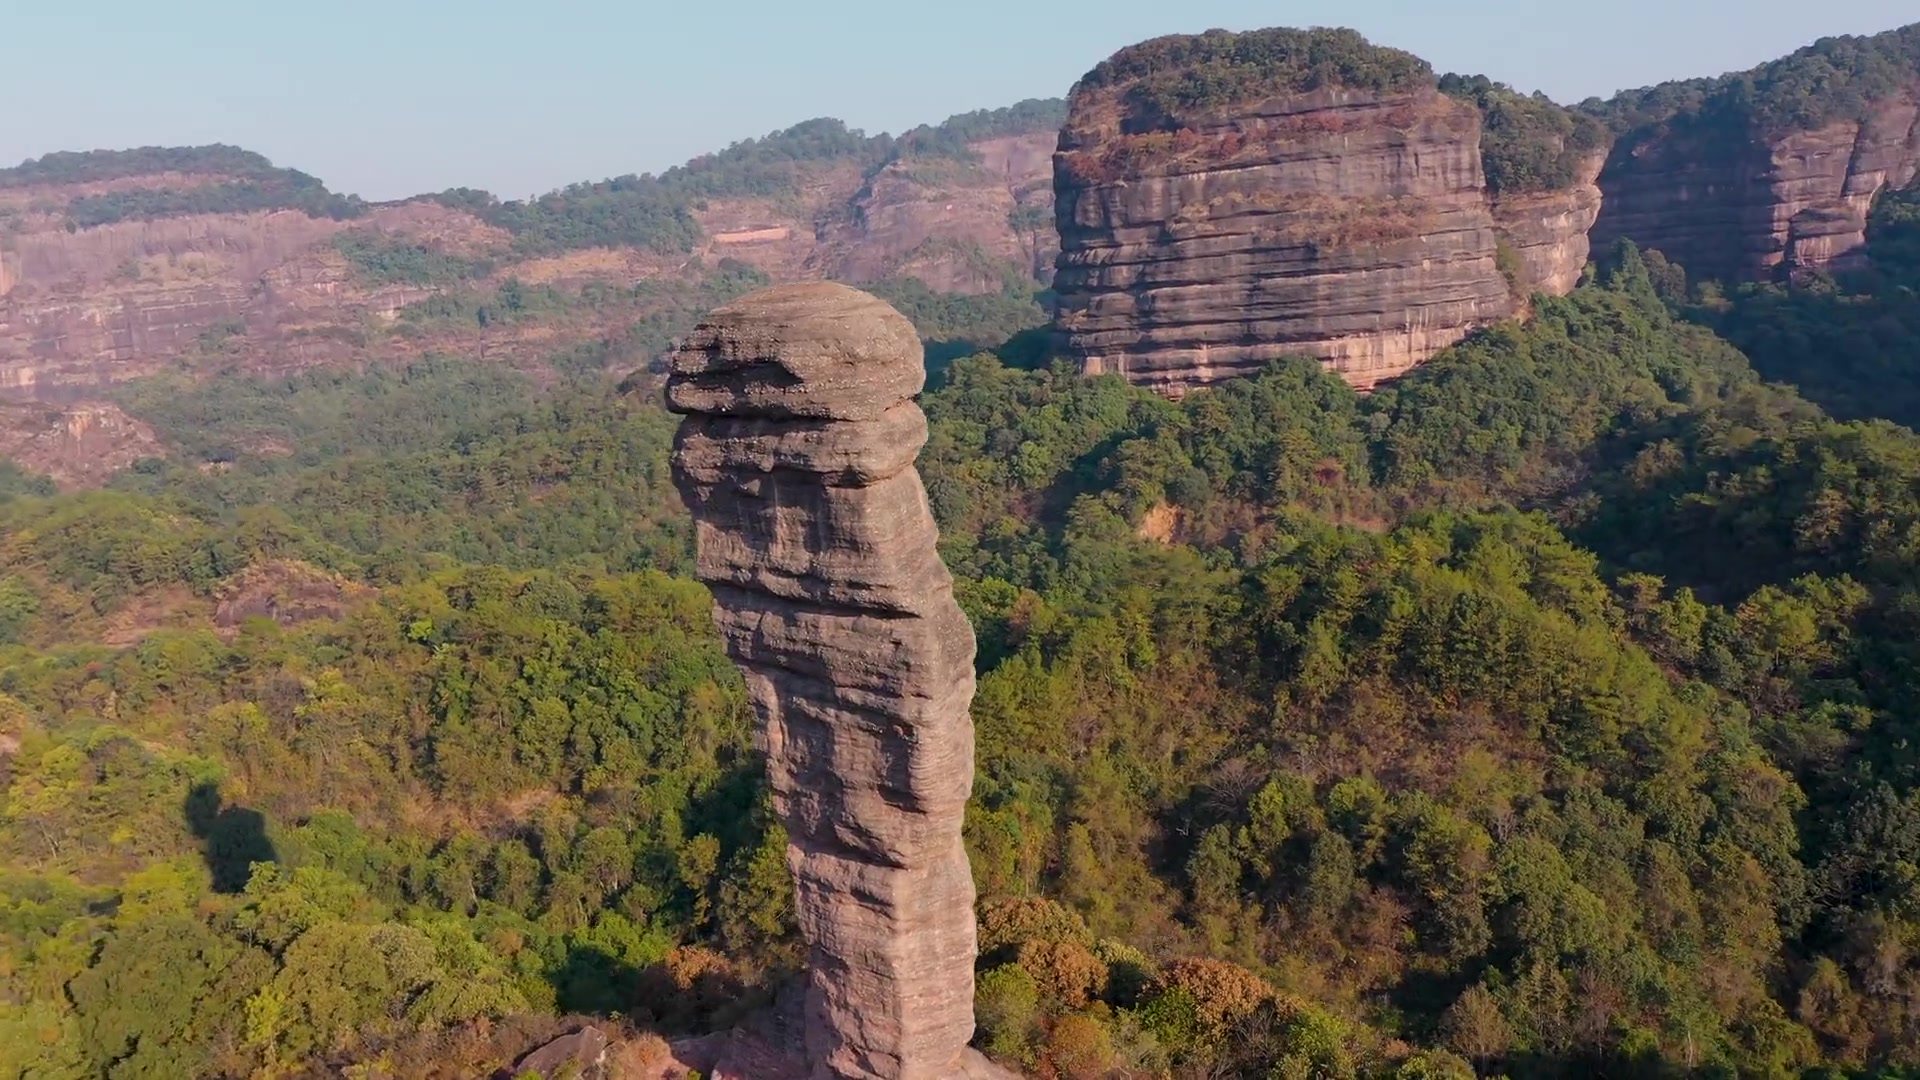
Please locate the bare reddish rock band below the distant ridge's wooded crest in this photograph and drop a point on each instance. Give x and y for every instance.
(93, 307)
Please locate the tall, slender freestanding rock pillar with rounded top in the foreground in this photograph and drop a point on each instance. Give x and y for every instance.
(815, 535)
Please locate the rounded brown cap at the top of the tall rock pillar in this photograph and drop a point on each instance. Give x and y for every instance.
(809, 351)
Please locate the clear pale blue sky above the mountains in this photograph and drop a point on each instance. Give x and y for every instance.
(398, 97)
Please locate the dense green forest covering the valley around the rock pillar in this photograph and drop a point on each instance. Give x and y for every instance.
(1548, 714)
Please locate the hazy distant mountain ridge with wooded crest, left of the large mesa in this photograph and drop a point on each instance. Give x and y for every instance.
(126, 264)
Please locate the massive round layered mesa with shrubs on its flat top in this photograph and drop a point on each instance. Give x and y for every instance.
(1232, 199)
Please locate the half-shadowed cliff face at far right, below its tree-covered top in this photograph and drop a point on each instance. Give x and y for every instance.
(1740, 205)
